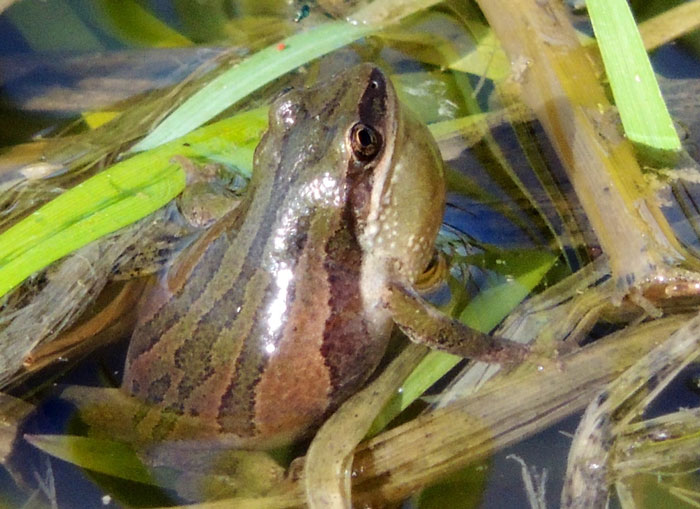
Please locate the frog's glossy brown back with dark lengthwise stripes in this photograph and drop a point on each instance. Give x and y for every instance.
(260, 326)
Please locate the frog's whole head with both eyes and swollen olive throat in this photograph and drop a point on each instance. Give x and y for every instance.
(347, 143)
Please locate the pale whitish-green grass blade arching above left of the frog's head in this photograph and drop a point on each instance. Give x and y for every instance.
(251, 74)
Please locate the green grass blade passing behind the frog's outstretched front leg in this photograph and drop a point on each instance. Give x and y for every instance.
(525, 269)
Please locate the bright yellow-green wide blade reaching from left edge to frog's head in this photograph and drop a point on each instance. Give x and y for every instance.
(120, 195)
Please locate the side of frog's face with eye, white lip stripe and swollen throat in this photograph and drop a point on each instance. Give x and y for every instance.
(399, 191)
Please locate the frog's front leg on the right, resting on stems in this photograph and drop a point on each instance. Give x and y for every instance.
(425, 324)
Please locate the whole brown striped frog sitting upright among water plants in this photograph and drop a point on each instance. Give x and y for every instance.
(284, 307)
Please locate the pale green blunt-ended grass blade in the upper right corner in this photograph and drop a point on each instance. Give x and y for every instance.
(644, 115)
